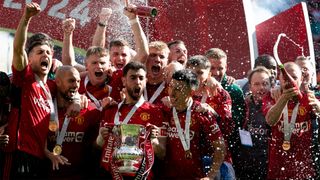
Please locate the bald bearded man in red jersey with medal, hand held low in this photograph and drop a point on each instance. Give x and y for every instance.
(76, 135)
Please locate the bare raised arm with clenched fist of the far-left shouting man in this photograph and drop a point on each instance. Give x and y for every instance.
(20, 58)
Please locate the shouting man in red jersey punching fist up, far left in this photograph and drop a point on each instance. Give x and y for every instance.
(30, 73)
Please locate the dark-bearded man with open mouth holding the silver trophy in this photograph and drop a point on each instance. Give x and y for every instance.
(133, 109)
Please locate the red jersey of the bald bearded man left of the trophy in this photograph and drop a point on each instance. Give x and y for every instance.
(80, 136)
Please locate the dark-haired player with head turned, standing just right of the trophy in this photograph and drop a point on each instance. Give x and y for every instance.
(190, 134)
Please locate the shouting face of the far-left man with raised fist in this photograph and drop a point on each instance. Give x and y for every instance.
(40, 59)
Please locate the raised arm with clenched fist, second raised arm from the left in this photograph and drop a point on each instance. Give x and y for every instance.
(68, 55)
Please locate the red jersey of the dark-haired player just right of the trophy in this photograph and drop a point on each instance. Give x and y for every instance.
(203, 131)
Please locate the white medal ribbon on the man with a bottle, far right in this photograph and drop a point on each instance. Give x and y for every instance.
(288, 127)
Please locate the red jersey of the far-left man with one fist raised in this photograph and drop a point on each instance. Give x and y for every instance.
(35, 113)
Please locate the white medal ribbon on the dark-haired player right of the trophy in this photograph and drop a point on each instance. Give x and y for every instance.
(183, 136)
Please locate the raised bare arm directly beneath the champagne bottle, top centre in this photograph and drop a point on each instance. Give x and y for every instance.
(140, 38)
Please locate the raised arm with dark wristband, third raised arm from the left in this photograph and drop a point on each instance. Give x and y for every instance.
(99, 37)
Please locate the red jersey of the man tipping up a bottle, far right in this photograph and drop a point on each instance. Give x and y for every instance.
(296, 163)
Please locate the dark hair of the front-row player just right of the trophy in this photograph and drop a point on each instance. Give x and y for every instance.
(188, 77)
